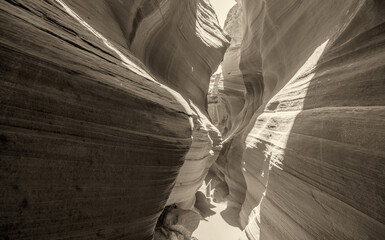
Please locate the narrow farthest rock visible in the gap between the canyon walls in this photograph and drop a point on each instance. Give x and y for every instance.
(226, 100)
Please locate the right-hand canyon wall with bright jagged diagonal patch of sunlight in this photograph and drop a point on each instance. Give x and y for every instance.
(312, 127)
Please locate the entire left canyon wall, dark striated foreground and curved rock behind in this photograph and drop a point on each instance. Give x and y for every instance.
(92, 139)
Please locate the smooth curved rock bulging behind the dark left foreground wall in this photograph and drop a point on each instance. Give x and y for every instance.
(182, 43)
